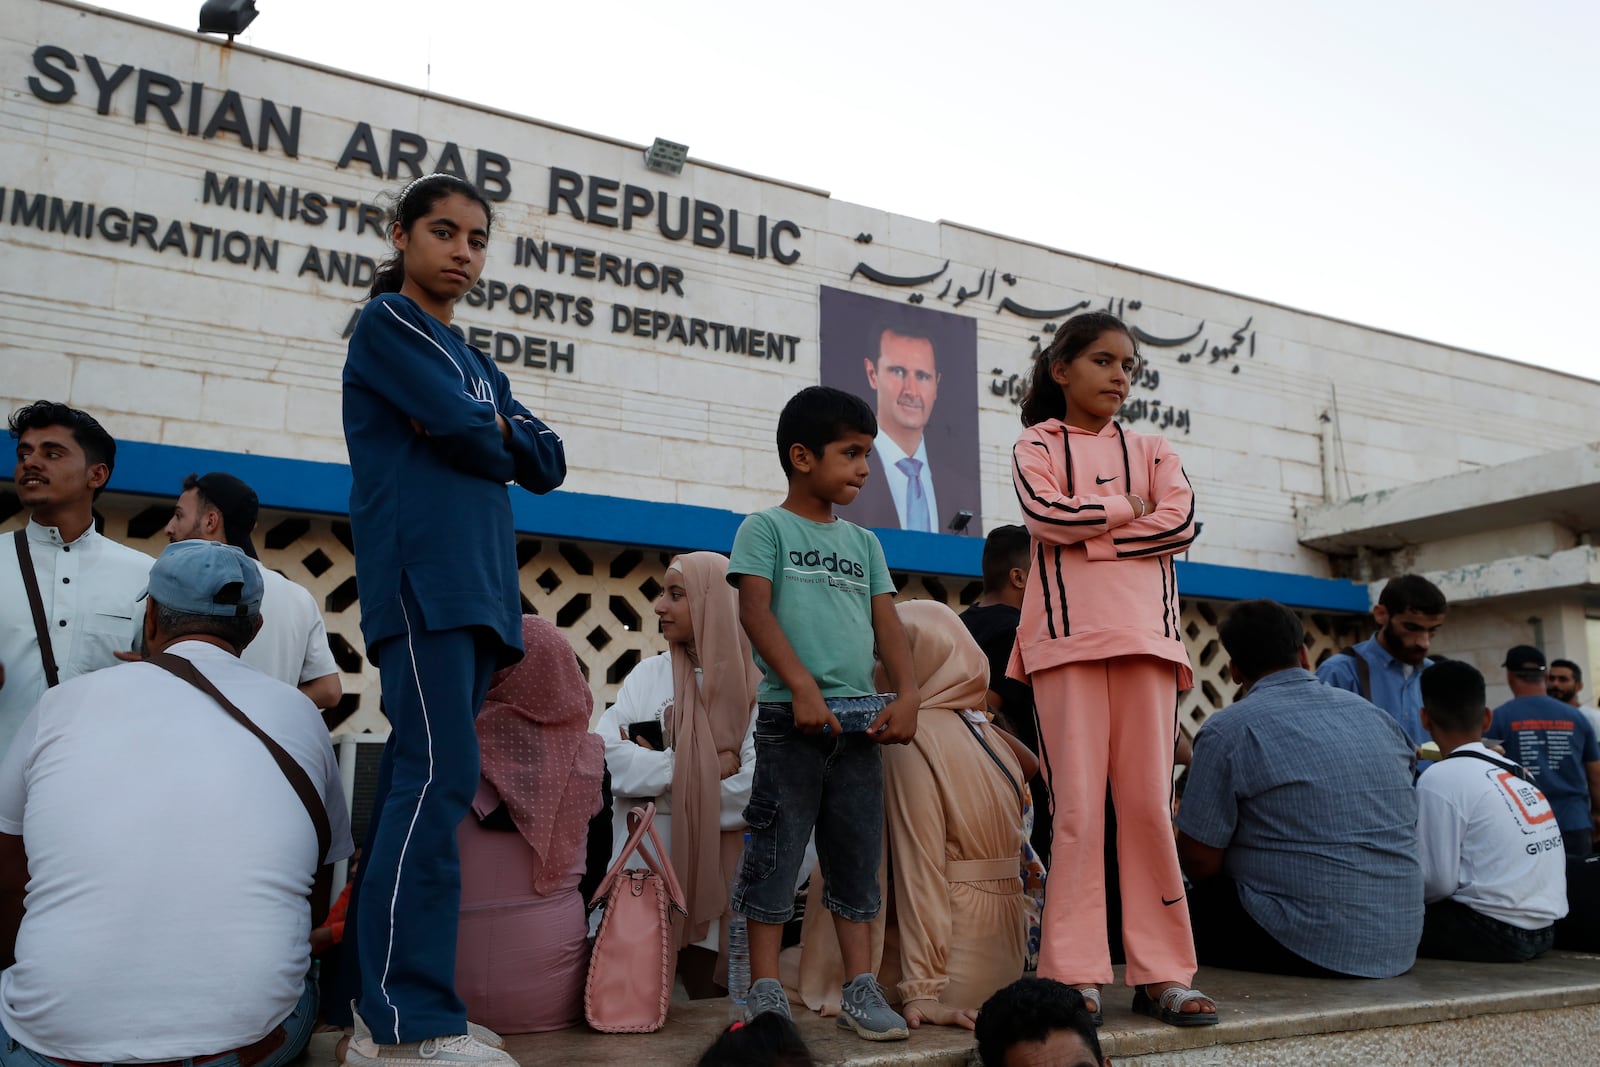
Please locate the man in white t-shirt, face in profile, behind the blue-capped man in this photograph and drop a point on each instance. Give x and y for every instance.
(294, 641)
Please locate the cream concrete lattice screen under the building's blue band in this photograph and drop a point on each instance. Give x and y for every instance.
(601, 596)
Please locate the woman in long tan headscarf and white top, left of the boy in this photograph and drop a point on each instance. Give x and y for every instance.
(682, 735)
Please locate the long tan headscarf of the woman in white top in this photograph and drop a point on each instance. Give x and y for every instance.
(708, 719)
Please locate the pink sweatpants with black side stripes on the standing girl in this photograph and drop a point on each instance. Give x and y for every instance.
(1113, 719)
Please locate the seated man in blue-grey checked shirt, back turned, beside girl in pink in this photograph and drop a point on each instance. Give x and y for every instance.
(1298, 823)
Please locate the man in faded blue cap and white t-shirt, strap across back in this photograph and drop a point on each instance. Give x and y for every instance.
(167, 860)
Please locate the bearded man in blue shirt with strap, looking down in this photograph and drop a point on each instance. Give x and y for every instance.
(1388, 668)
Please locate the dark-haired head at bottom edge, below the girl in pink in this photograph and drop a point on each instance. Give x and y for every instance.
(1038, 1023)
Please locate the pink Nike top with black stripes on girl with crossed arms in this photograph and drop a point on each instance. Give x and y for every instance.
(1102, 581)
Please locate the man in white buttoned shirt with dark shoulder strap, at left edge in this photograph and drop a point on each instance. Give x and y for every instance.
(89, 585)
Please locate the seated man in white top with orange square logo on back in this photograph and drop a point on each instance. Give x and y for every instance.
(1494, 866)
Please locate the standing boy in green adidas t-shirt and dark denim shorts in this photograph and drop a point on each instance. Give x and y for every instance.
(815, 594)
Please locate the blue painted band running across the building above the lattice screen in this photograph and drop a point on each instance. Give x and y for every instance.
(302, 486)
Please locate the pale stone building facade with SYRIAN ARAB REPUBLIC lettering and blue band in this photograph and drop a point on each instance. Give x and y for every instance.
(190, 230)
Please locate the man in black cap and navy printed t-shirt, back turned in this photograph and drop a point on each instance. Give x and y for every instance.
(1558, 746)
